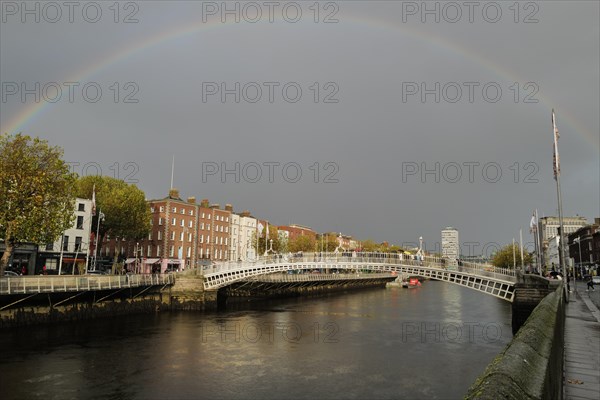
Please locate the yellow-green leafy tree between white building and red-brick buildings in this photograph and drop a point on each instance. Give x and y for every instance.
(126, 212)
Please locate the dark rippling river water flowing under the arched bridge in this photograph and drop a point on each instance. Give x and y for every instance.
(429, 342)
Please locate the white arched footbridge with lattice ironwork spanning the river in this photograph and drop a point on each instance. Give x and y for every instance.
(485, 278)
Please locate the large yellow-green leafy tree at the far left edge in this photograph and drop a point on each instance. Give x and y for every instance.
(37, 193)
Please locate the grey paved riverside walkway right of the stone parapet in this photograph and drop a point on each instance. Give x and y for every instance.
(582, 345)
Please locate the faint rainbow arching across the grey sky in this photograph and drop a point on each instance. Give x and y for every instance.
(35, 110)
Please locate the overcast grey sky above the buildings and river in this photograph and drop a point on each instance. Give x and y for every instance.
(364, 127)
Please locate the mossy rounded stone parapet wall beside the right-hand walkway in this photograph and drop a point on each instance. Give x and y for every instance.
(531, 366)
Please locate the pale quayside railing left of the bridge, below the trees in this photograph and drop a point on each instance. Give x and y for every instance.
(76, 283)
